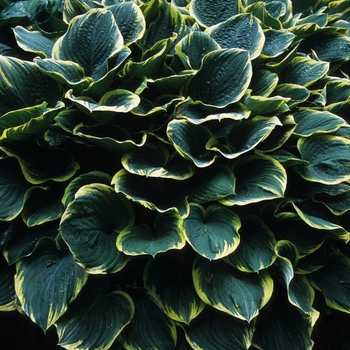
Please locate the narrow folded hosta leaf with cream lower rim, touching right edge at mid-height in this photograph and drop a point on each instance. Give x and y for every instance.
(319, 218)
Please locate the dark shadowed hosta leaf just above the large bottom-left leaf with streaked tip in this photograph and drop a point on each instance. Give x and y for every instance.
(24, 244)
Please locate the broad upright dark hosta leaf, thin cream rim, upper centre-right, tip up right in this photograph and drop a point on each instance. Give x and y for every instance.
(223, 78)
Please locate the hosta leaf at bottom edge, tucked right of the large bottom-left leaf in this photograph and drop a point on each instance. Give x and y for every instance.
(95, 320)
